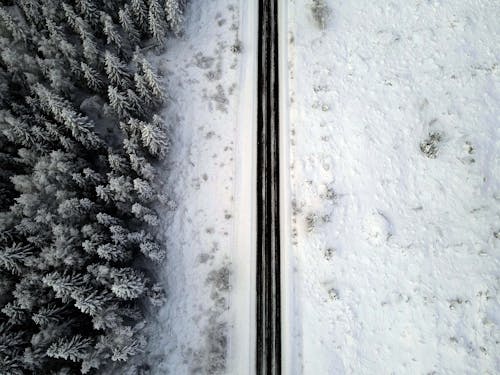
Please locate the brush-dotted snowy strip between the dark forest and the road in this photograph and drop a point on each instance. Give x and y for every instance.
(203, 73)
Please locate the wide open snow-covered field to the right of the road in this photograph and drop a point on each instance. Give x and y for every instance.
(395, 188)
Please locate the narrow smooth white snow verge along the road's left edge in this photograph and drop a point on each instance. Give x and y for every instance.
(242, 338)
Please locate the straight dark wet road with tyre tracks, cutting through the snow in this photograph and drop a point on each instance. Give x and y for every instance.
(268, 356)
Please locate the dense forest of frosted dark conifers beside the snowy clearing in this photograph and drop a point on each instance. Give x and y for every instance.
(80, 138)
